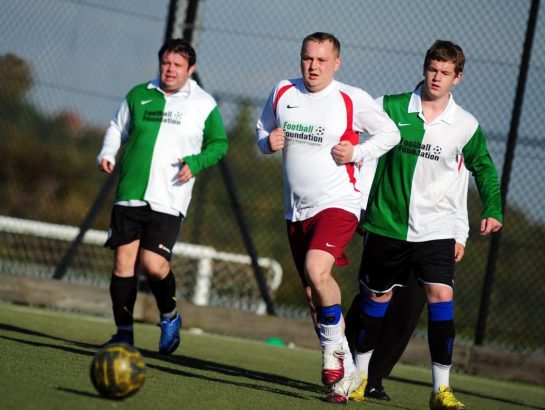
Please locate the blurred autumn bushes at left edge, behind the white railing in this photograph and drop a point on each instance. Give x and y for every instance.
(49, 168)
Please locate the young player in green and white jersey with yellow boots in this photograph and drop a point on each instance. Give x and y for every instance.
(418, 191)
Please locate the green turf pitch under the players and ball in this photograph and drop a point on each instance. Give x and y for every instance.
(45, 357)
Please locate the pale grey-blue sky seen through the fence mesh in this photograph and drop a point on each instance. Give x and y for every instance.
(87, 54)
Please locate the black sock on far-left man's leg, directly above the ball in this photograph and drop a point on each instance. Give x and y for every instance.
(123, 294)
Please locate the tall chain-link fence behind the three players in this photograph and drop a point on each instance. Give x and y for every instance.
(66, 65)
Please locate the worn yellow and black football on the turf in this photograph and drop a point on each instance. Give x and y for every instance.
(118, 371)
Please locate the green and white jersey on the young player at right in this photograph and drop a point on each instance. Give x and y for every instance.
(420, 186)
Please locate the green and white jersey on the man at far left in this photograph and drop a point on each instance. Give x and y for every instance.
(158, 131)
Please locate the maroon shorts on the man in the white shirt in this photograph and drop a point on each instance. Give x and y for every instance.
(329, 230)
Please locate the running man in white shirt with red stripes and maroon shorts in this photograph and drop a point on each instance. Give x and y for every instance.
(309, 119)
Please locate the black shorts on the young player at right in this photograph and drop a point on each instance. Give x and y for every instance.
(388, 262)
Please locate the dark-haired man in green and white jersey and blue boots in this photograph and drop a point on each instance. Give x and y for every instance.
(171, 129)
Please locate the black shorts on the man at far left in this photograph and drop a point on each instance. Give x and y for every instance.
(156, 231)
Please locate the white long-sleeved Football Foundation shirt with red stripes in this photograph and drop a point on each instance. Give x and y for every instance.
(313, 124)
